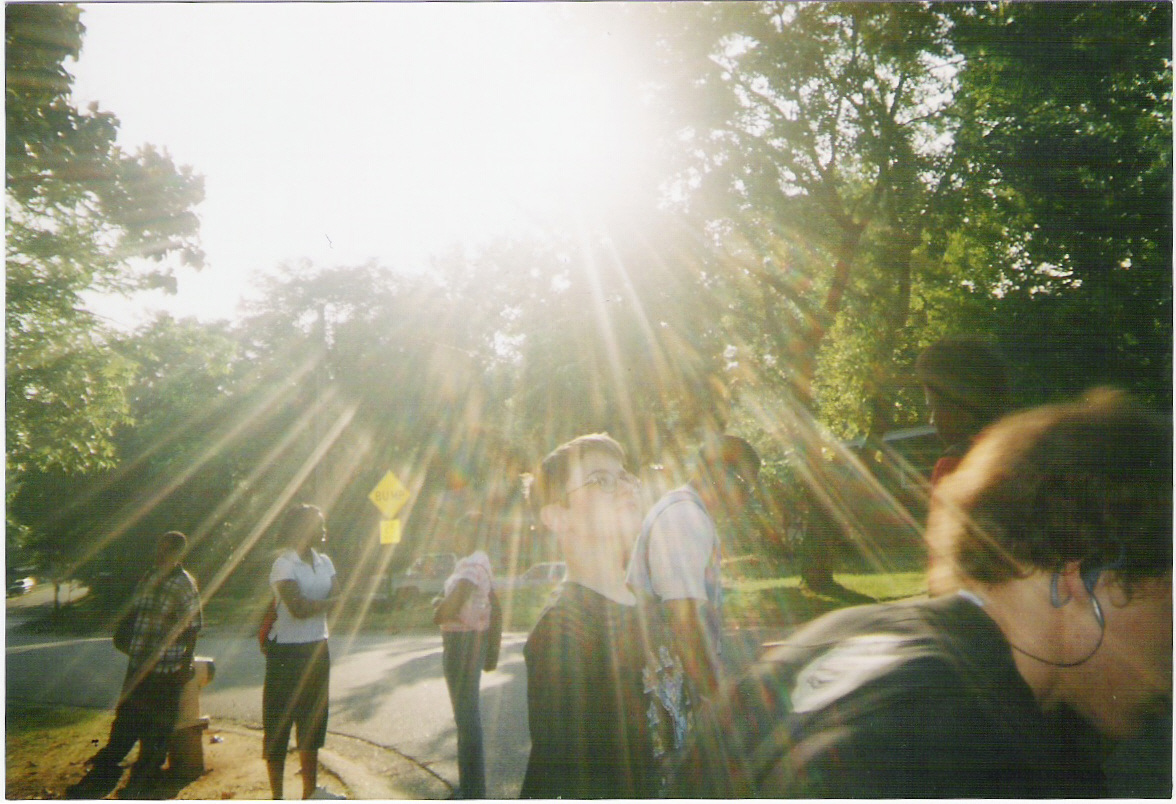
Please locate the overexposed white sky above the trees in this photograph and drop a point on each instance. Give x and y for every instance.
(348, 132)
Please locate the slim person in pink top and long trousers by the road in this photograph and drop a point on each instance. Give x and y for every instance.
(464, 615)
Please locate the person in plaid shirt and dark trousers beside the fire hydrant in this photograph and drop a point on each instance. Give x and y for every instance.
(168, 618)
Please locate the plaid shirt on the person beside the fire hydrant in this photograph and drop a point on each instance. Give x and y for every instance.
(168, 620)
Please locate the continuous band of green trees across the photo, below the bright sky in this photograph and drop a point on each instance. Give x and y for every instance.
(844, 184)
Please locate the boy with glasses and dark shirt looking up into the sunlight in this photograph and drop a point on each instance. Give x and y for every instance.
(585, 655)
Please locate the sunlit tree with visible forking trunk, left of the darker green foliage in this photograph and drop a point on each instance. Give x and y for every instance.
(821, 145)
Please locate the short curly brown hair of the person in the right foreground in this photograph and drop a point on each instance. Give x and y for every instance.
(1087, 481)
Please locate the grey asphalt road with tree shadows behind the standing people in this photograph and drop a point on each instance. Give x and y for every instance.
(389, 691)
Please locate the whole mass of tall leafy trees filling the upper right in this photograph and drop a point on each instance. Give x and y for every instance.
(877, 176)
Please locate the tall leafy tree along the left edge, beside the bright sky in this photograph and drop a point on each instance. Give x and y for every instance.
(82, 216)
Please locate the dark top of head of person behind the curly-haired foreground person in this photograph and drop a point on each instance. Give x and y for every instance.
(968, 373)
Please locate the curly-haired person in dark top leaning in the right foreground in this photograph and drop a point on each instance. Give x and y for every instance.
(1058, 527)
